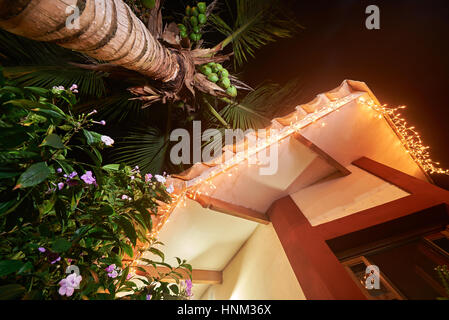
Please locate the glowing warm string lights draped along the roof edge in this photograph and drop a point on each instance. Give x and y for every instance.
(408, 136)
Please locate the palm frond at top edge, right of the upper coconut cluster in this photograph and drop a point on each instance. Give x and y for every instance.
(257, 23)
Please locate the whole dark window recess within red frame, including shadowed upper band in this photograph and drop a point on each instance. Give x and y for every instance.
(406, 250)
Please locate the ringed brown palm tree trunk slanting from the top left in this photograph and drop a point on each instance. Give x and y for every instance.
(106, 30)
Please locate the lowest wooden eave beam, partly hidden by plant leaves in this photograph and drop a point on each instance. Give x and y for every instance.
(198, 276)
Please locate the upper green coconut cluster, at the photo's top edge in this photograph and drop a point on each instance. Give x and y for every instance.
(194, 19)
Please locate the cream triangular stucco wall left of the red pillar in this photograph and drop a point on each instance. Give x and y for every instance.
(260, 270)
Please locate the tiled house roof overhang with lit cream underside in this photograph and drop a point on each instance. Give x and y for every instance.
(319, 140)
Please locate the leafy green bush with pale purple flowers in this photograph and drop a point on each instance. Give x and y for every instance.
(66, 220)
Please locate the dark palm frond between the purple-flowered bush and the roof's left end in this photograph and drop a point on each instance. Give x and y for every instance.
(144, 147)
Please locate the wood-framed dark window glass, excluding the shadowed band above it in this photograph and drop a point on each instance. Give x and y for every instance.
(407, 268)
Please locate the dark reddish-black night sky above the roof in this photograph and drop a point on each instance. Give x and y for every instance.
(406, 62)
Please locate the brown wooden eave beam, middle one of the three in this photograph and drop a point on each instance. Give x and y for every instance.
(232, 209)
